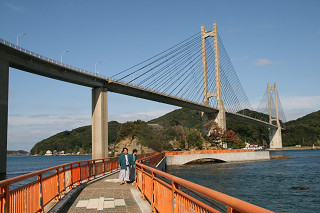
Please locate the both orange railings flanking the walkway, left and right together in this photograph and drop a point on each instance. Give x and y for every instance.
(165, 192)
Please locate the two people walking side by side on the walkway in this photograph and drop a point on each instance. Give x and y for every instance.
(128, 167)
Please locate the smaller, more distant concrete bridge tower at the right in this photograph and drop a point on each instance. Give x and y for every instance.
(275, 137)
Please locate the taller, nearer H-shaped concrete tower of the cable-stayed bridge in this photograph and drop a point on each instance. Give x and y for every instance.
(219, 117)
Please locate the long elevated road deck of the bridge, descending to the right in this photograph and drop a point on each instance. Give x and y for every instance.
(28, 61)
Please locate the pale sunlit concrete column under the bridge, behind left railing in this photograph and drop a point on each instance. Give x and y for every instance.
(99, 123)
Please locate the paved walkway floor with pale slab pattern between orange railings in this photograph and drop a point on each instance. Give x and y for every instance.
(107, 195)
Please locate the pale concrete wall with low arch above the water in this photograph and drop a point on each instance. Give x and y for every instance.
(228, 157)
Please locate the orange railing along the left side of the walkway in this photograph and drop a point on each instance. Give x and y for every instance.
(48, 184)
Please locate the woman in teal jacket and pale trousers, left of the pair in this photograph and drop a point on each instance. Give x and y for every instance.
(125, 163)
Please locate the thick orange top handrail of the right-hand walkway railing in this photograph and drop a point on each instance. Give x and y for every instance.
(224, 199)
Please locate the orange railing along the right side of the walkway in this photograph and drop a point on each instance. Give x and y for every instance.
(168, 193)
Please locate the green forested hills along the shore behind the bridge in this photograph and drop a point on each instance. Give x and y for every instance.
(177, 125)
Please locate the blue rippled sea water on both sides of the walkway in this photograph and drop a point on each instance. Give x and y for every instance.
(263, 183)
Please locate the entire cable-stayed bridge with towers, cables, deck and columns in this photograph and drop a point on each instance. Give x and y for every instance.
(197, 73)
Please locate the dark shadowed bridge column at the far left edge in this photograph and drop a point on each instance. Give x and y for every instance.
(4, 94)
